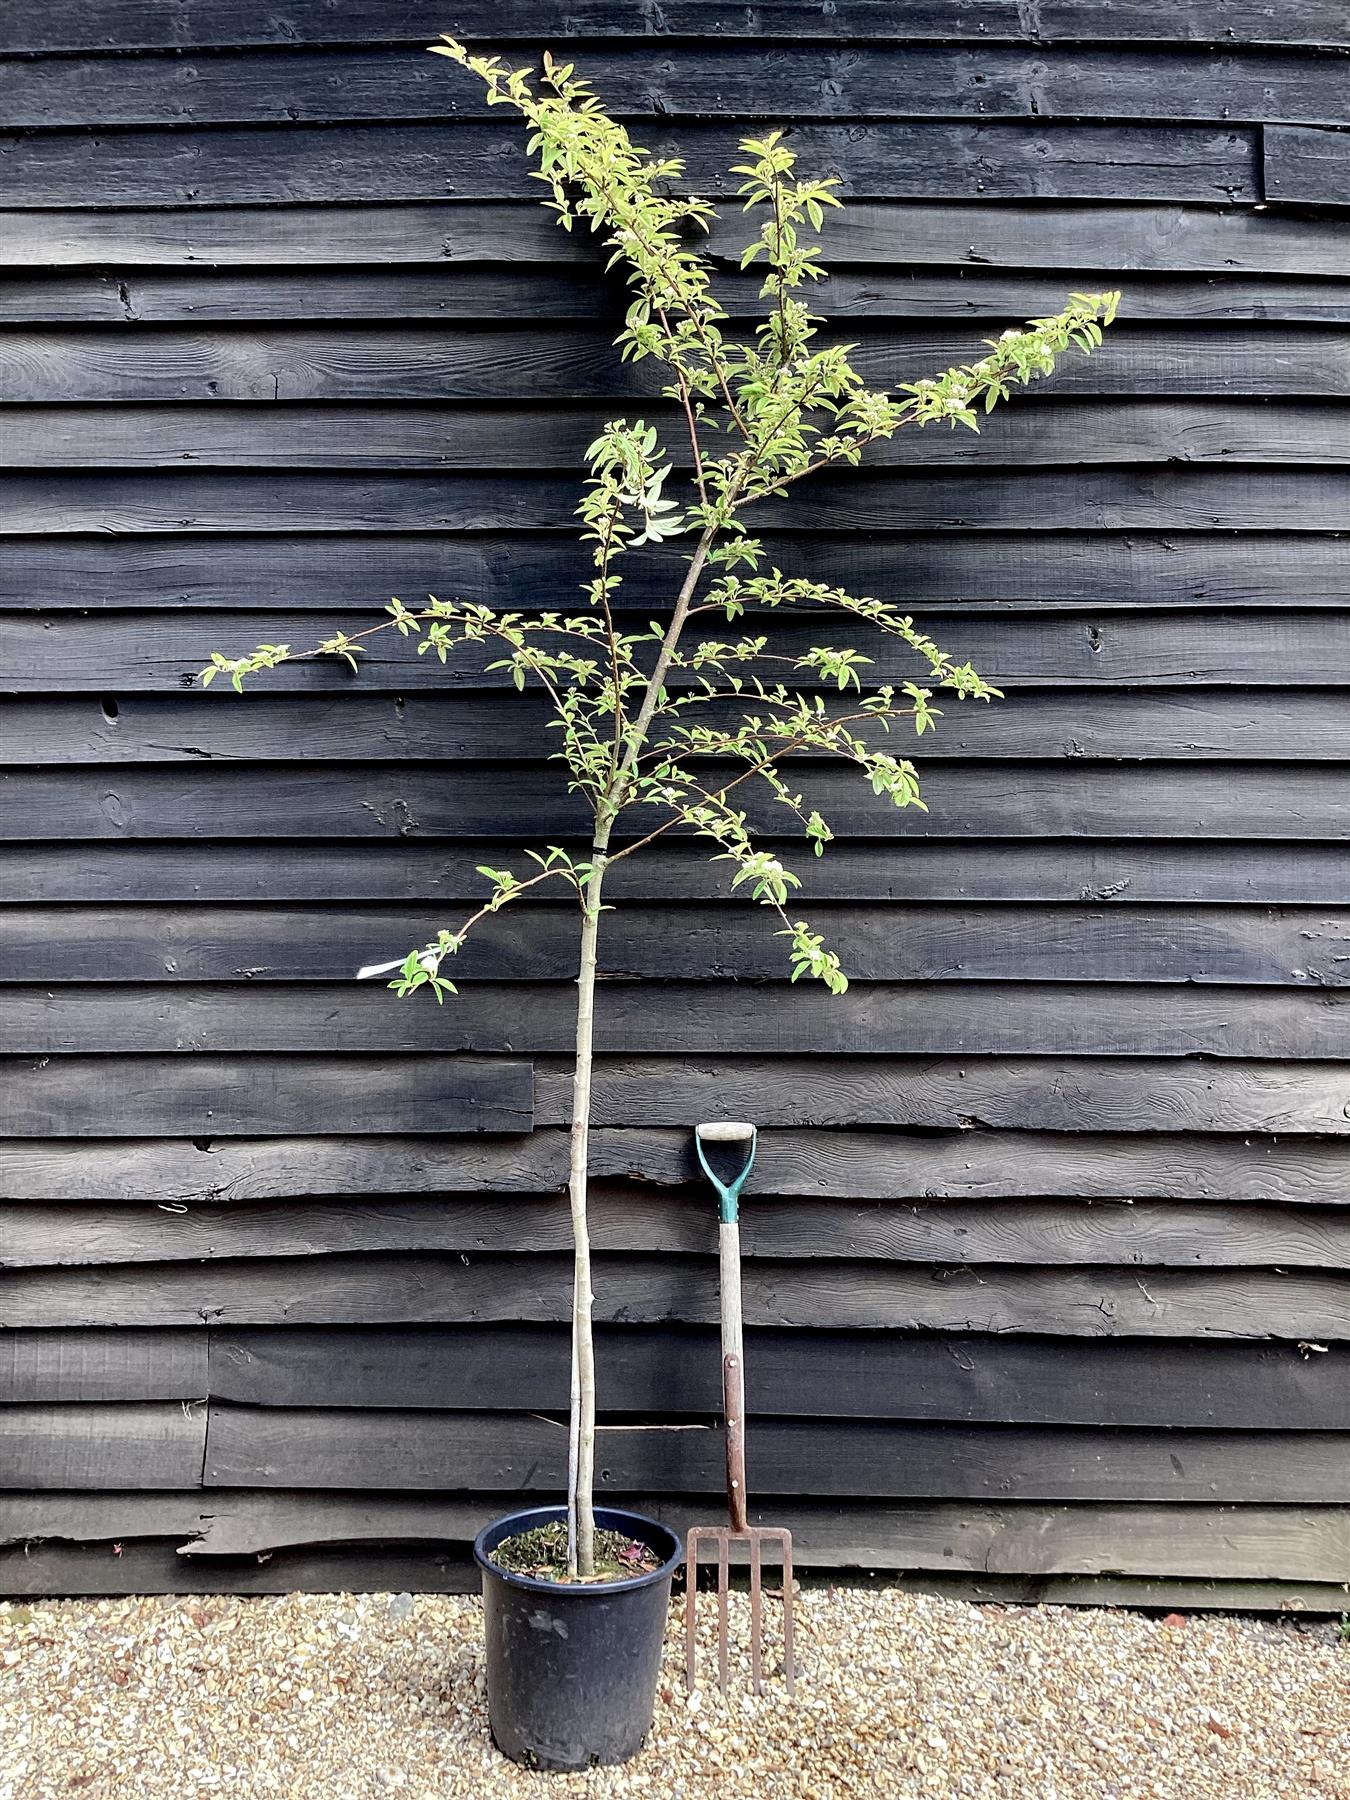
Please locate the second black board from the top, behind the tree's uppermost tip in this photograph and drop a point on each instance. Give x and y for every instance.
(690, 82)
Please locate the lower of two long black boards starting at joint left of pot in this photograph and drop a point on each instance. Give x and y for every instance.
(271, 1448)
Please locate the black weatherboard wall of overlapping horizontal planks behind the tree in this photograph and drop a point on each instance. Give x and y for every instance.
(1050, 1234)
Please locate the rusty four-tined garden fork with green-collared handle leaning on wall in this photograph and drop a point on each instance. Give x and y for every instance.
(733, 1407)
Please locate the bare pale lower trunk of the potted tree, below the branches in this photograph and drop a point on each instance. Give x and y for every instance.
(582, 1432)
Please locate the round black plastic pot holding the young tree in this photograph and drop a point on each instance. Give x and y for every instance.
(573, 1671)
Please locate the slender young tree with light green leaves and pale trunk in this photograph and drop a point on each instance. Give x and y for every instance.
(660, 733)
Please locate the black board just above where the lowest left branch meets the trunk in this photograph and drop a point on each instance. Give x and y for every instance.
(1066, 800)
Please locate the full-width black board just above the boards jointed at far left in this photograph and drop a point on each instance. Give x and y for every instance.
(433, 1288)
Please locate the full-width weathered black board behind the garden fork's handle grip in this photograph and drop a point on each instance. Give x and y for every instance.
(800, 1164)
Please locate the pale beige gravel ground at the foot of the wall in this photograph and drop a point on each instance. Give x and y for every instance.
(901, 1696)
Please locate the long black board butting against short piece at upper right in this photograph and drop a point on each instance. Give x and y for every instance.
(373, 161)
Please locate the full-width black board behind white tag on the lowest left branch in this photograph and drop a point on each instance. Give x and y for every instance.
(1227, 946)
